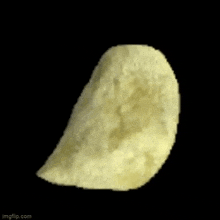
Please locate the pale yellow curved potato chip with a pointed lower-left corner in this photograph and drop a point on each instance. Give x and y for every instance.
(123, 126)
